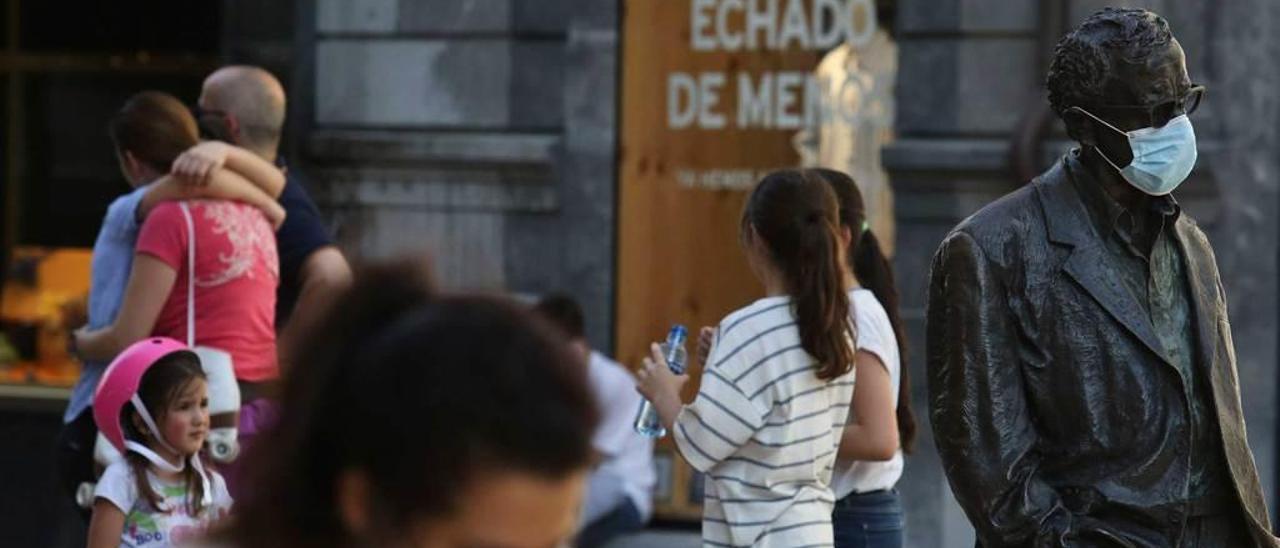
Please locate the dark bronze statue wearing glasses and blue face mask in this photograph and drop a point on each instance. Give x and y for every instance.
(1082, 373)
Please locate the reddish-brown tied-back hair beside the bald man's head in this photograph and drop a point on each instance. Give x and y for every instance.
(157, 127)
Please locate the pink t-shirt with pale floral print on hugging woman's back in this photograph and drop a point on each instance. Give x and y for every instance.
(237, 271)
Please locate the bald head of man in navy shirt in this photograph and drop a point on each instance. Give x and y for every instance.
(254, 102)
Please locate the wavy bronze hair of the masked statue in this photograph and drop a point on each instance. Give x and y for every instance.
(1086, 58)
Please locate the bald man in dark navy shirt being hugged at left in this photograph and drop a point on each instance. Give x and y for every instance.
(246, 106)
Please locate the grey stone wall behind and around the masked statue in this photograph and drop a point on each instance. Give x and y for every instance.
(973, 70)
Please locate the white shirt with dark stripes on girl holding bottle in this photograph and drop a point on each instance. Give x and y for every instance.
(765, 431)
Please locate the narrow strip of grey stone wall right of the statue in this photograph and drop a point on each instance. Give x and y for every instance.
(1241, 47)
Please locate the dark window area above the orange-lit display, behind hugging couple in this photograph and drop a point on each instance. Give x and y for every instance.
(74, 66)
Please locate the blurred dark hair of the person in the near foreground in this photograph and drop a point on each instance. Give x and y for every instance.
(420, 394)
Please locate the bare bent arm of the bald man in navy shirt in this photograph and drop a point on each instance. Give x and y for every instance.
(324, 276)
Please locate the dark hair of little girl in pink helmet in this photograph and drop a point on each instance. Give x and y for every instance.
(163, 383)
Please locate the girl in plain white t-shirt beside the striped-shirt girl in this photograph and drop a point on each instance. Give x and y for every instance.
(881, 426)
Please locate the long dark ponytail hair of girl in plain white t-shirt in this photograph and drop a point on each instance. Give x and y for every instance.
(874, 271)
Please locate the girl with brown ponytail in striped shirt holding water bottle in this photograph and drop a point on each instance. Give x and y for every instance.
(778, 385)
